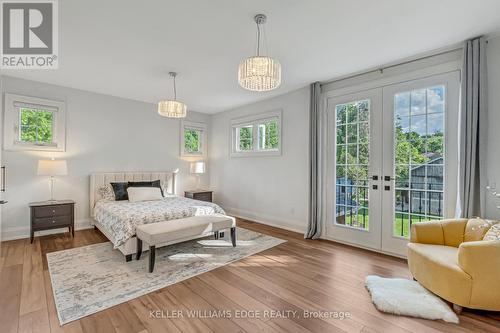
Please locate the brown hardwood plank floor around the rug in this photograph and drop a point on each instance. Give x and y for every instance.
(298, 275)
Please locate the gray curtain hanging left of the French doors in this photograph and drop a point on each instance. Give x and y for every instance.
(314, 225)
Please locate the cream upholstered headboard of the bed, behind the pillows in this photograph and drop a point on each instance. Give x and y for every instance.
(167, 178)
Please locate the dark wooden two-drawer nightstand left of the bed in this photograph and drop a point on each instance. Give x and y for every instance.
(52, 215)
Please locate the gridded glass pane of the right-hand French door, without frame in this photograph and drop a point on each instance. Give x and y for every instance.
(418, 157)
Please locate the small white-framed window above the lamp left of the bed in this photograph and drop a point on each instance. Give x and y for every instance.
(34, 124)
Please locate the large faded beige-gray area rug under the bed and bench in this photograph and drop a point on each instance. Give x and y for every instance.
(92, 278)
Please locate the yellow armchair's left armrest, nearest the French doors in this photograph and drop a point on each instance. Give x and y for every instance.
(444, 232)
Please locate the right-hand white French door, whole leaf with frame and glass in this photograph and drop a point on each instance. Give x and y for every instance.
(421, 145)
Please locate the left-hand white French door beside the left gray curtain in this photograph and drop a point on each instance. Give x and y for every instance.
(354, 204)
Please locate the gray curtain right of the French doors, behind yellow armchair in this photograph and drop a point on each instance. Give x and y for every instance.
(472, 129)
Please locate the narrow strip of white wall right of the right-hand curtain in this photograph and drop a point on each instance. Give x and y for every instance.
(493, 159)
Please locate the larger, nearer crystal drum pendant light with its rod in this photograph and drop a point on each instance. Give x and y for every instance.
(259, 73)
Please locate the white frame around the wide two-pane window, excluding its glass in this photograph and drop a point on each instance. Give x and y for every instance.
(255, 121)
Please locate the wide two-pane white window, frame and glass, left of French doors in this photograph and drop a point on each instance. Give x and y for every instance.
(258, 135)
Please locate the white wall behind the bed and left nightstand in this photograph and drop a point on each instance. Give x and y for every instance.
(104, 133)
